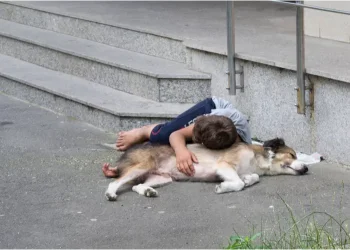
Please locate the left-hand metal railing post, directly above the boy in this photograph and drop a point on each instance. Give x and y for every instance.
(231, 48)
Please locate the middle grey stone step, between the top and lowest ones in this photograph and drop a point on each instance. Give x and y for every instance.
(147, 76)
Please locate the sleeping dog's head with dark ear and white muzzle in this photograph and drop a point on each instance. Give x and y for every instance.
(283, 158)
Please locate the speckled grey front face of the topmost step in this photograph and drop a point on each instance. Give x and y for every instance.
(120, 36)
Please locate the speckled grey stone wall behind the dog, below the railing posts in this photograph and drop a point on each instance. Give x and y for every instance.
(269, 99)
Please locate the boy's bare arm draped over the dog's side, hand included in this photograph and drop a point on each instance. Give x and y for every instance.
(184, 158)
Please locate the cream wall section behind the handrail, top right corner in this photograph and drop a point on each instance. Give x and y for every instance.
(328, 25)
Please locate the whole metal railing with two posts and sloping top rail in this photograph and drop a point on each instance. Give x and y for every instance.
(300, 51)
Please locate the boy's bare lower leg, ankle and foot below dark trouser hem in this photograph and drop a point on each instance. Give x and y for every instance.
(126, 139)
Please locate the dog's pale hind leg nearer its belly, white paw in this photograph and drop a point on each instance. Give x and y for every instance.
(147, 189)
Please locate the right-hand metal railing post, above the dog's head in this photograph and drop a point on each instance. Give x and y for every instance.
(300, 59)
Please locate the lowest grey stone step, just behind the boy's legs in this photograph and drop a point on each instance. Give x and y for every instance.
(94, 103)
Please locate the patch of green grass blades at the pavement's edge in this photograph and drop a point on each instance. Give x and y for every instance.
(316, 230)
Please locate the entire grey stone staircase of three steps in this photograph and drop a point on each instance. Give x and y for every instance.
(97, 73)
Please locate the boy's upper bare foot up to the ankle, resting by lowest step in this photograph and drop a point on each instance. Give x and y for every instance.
(129, 138)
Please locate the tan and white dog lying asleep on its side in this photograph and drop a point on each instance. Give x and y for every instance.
(239, 166)
